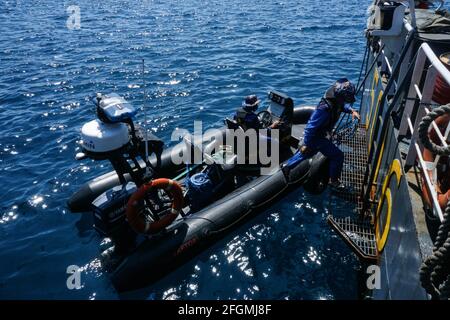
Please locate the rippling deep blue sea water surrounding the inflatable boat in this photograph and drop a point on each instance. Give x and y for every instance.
(201, 57)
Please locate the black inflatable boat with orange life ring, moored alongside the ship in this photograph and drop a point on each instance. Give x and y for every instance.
(153, 231)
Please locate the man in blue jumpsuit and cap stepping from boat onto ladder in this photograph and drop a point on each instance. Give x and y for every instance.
(338, 98)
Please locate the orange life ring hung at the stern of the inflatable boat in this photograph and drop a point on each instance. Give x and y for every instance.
(137, 221)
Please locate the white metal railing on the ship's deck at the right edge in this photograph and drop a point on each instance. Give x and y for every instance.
(426, 62)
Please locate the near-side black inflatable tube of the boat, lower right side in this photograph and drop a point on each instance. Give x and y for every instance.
(155, 257)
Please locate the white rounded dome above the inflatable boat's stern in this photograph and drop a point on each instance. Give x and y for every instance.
(104, 137)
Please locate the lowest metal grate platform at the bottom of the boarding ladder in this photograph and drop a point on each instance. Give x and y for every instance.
(358, 233)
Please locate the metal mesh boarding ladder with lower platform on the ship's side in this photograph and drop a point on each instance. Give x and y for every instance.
(357, 230)
